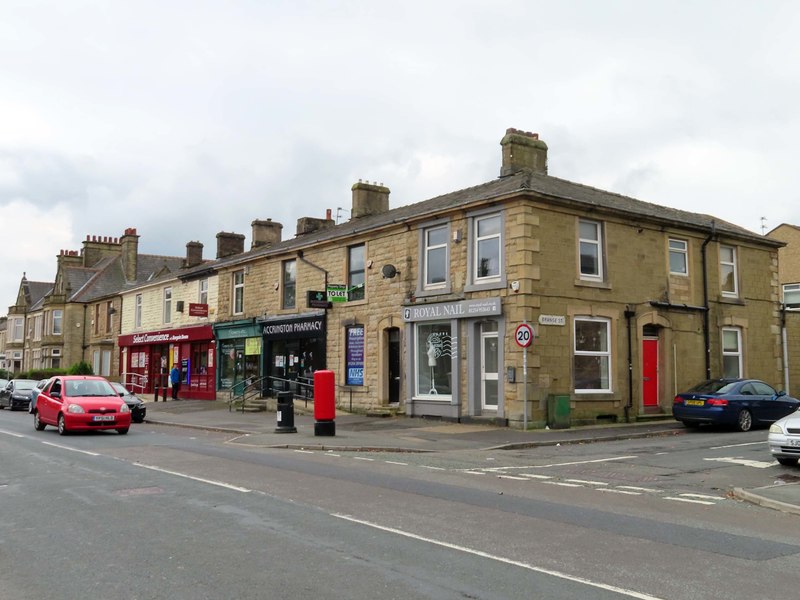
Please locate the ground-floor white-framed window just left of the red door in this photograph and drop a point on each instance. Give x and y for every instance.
(592, 355)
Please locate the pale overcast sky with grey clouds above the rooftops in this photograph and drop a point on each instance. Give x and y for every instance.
(184, 118)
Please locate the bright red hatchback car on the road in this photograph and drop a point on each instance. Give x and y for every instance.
(81, 403)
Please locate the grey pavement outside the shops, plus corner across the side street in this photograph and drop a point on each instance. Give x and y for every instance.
(402, 434)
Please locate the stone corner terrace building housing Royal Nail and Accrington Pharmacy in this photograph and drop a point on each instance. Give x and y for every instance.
(631, 302)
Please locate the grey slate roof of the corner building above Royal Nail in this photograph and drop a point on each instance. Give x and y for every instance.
(544, 188)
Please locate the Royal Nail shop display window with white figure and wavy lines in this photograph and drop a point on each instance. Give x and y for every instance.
(434, 360)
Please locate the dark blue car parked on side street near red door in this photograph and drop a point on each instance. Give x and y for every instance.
(740, 403)
